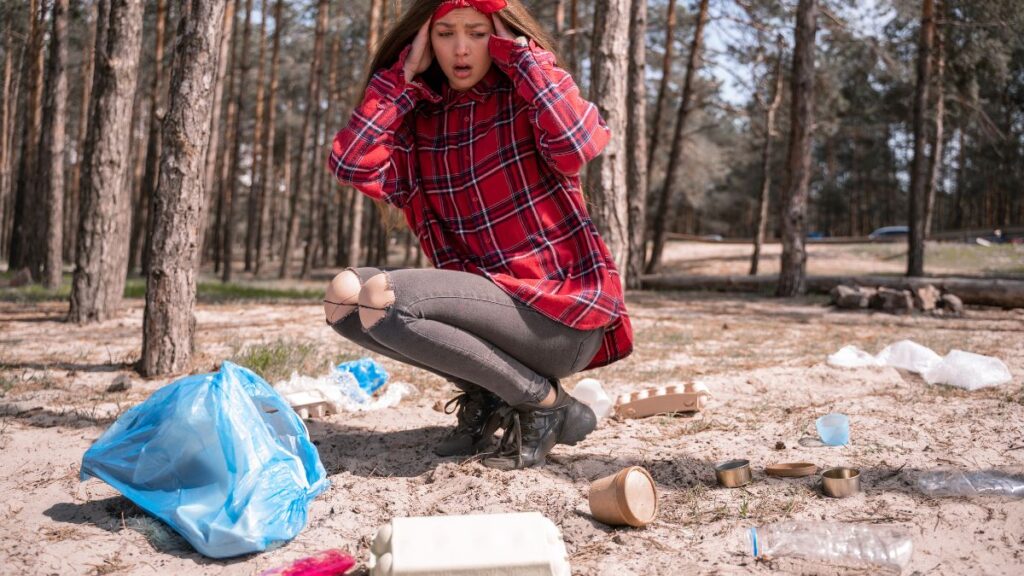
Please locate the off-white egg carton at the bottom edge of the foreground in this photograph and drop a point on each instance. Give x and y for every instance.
(503, 545)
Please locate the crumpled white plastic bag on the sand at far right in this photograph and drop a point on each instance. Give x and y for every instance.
(961, 369)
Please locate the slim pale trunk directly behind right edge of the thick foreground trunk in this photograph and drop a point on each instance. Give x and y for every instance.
(215, 158)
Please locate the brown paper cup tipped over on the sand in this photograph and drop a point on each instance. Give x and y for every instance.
(627, 498)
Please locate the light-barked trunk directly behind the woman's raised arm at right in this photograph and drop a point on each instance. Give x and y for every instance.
(607, 174)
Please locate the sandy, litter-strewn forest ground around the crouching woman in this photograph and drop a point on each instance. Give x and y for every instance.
(763, 360)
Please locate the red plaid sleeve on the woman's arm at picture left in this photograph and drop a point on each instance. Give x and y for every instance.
(375, 152)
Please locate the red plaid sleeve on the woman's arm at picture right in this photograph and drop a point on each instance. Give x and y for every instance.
(570, 131)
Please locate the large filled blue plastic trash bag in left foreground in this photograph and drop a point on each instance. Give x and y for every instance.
(222, 459)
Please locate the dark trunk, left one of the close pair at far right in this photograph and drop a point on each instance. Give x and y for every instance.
(919, 171)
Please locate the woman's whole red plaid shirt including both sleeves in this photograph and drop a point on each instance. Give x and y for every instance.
(488, 180)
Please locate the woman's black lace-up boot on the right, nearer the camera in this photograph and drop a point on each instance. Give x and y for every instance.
(532, 433)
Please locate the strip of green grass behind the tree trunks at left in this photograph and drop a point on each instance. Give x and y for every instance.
(207, 293)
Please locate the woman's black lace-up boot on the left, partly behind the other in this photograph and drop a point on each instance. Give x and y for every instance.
(476, 430)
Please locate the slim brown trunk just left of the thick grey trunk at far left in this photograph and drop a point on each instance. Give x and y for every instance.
(30, 219)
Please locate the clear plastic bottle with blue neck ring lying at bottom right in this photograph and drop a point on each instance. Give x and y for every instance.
(887, 547)
